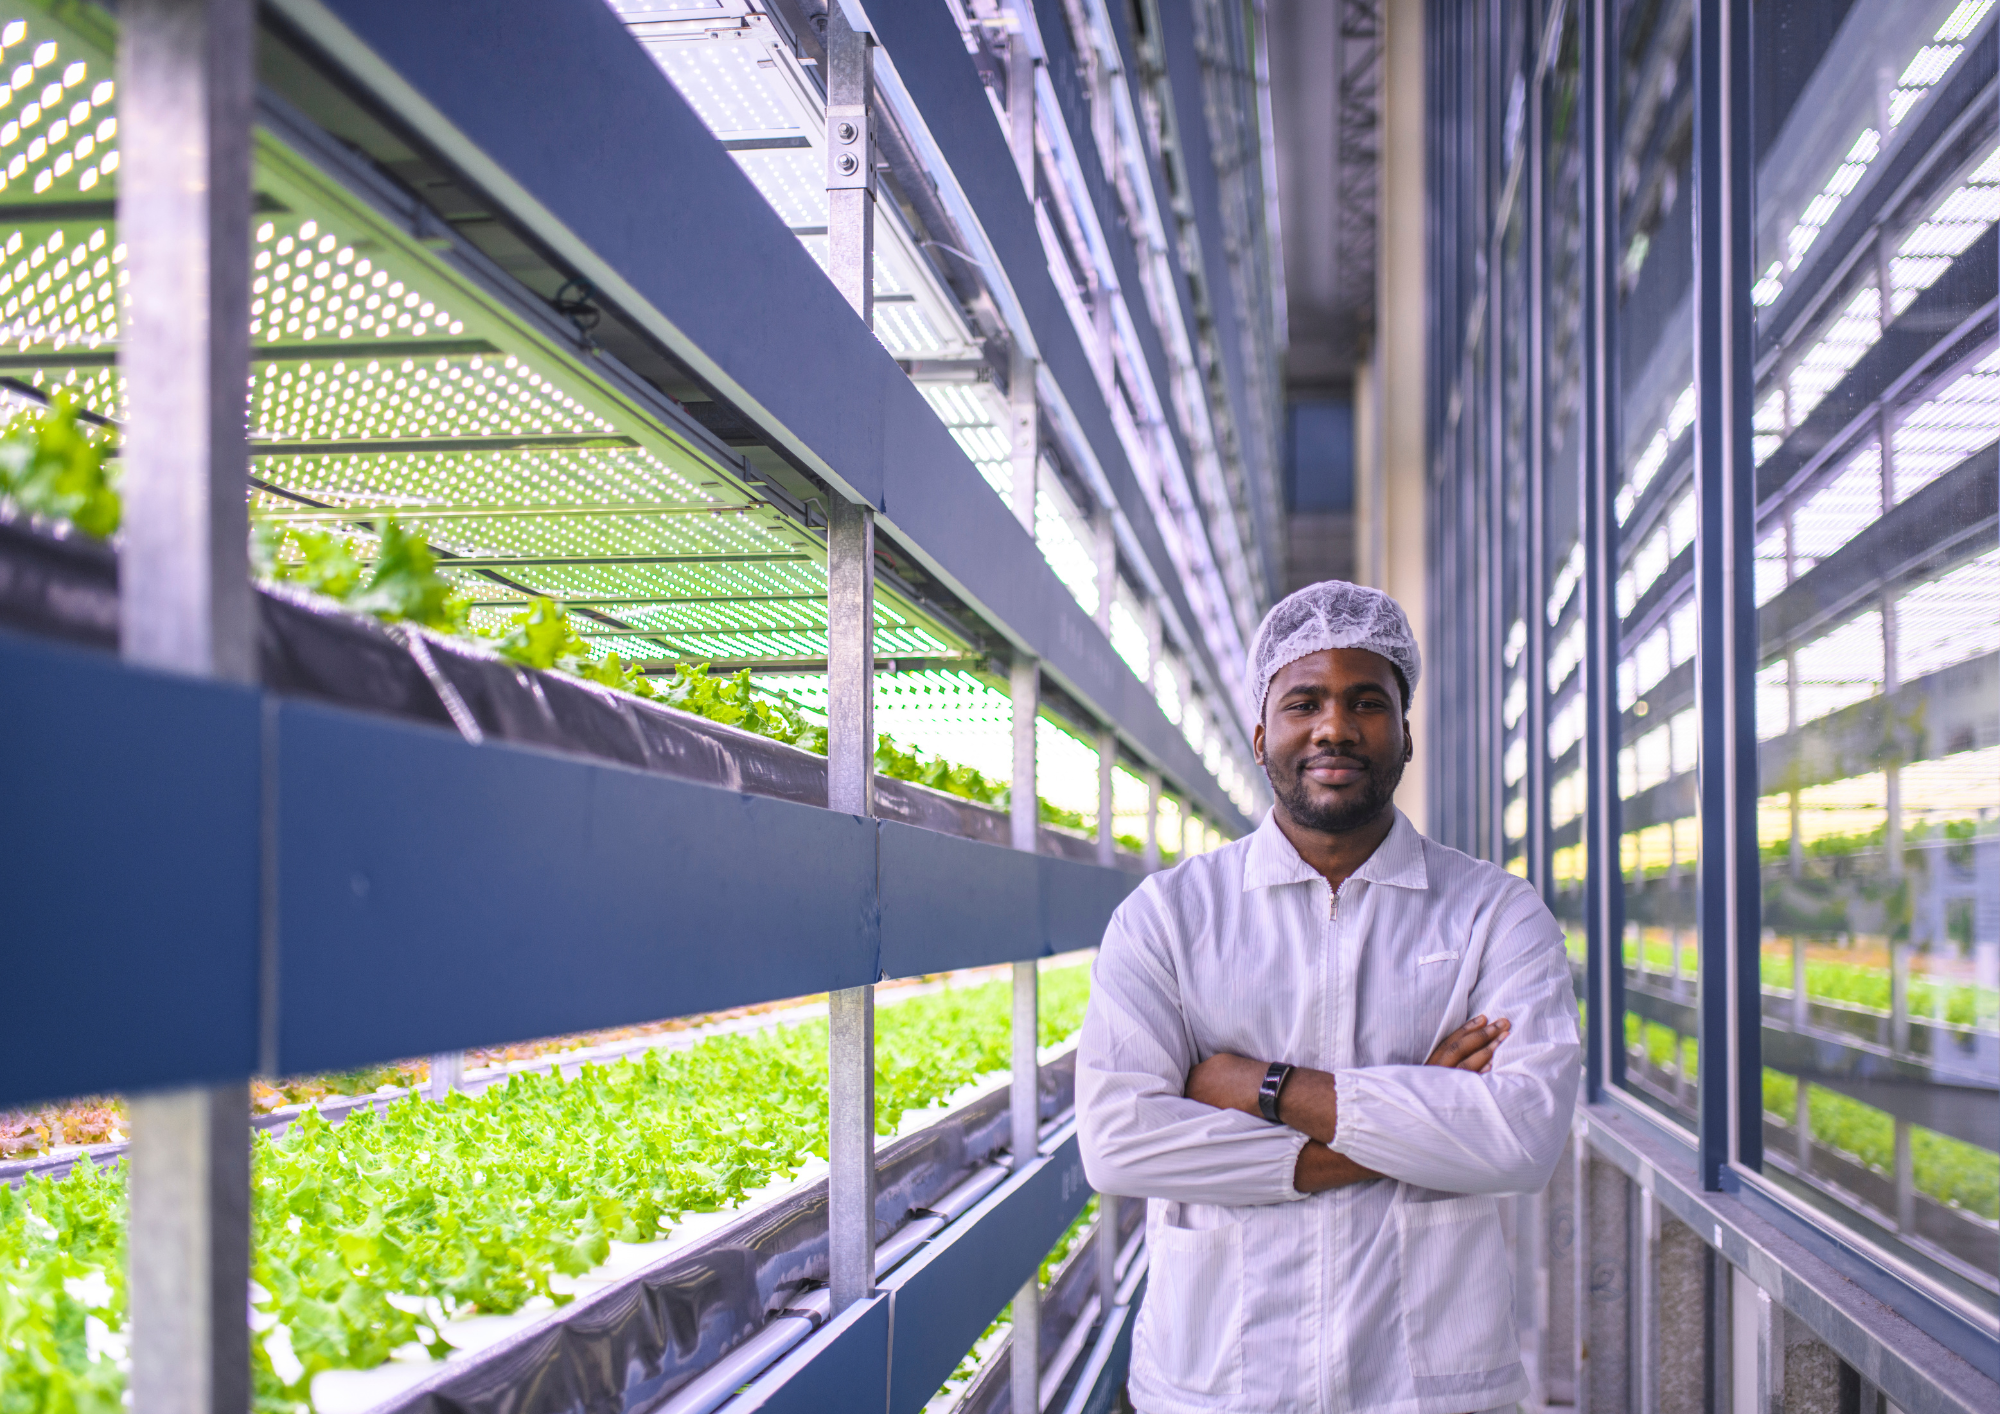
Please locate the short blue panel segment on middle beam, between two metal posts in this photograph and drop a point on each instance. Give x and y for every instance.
(951, 903)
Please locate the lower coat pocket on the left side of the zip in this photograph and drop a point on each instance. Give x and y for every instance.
(1195, 1307)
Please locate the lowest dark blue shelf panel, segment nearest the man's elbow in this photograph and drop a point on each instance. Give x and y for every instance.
(955, 1287)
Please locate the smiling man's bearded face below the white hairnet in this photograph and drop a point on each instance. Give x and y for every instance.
(1335, 739)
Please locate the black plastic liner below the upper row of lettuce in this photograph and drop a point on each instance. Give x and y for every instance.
(63, 585)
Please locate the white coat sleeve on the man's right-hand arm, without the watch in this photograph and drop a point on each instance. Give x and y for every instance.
(1495, 1133)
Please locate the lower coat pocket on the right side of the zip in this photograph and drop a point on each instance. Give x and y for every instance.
(1457, 1287)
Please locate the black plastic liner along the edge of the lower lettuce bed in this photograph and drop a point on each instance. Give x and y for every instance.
(633, 1345)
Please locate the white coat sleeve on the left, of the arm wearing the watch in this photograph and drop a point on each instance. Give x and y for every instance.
(1141, 1137)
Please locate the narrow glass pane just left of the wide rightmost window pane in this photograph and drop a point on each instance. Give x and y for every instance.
(1653, 505)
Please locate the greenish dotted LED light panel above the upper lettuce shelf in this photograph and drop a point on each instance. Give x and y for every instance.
(391, 383)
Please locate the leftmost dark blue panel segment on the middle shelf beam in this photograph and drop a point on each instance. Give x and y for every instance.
(129, 865)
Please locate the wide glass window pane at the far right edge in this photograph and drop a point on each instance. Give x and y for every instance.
(1879, 623)
